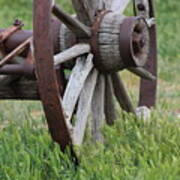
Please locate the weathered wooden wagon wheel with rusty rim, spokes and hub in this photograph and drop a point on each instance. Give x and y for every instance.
(107, 42)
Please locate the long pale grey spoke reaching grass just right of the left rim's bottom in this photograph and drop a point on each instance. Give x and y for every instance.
(84, 107)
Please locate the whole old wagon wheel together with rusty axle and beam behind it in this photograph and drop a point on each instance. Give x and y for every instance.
(71, 63)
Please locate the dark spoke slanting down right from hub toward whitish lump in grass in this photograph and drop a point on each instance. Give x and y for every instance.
(121, 94)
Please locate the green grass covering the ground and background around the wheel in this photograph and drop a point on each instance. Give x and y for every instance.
(133, 149)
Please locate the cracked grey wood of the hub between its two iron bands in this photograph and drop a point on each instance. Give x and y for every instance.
(108, 42)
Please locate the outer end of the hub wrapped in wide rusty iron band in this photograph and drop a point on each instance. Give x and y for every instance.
(134, 42)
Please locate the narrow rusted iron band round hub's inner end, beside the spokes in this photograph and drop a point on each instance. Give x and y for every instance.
(95, 37)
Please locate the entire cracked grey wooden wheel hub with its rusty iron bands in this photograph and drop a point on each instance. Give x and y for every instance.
(126, 39)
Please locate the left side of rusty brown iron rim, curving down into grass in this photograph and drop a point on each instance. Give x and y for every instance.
(46, 75)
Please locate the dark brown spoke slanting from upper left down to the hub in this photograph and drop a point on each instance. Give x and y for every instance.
(73, 24)
